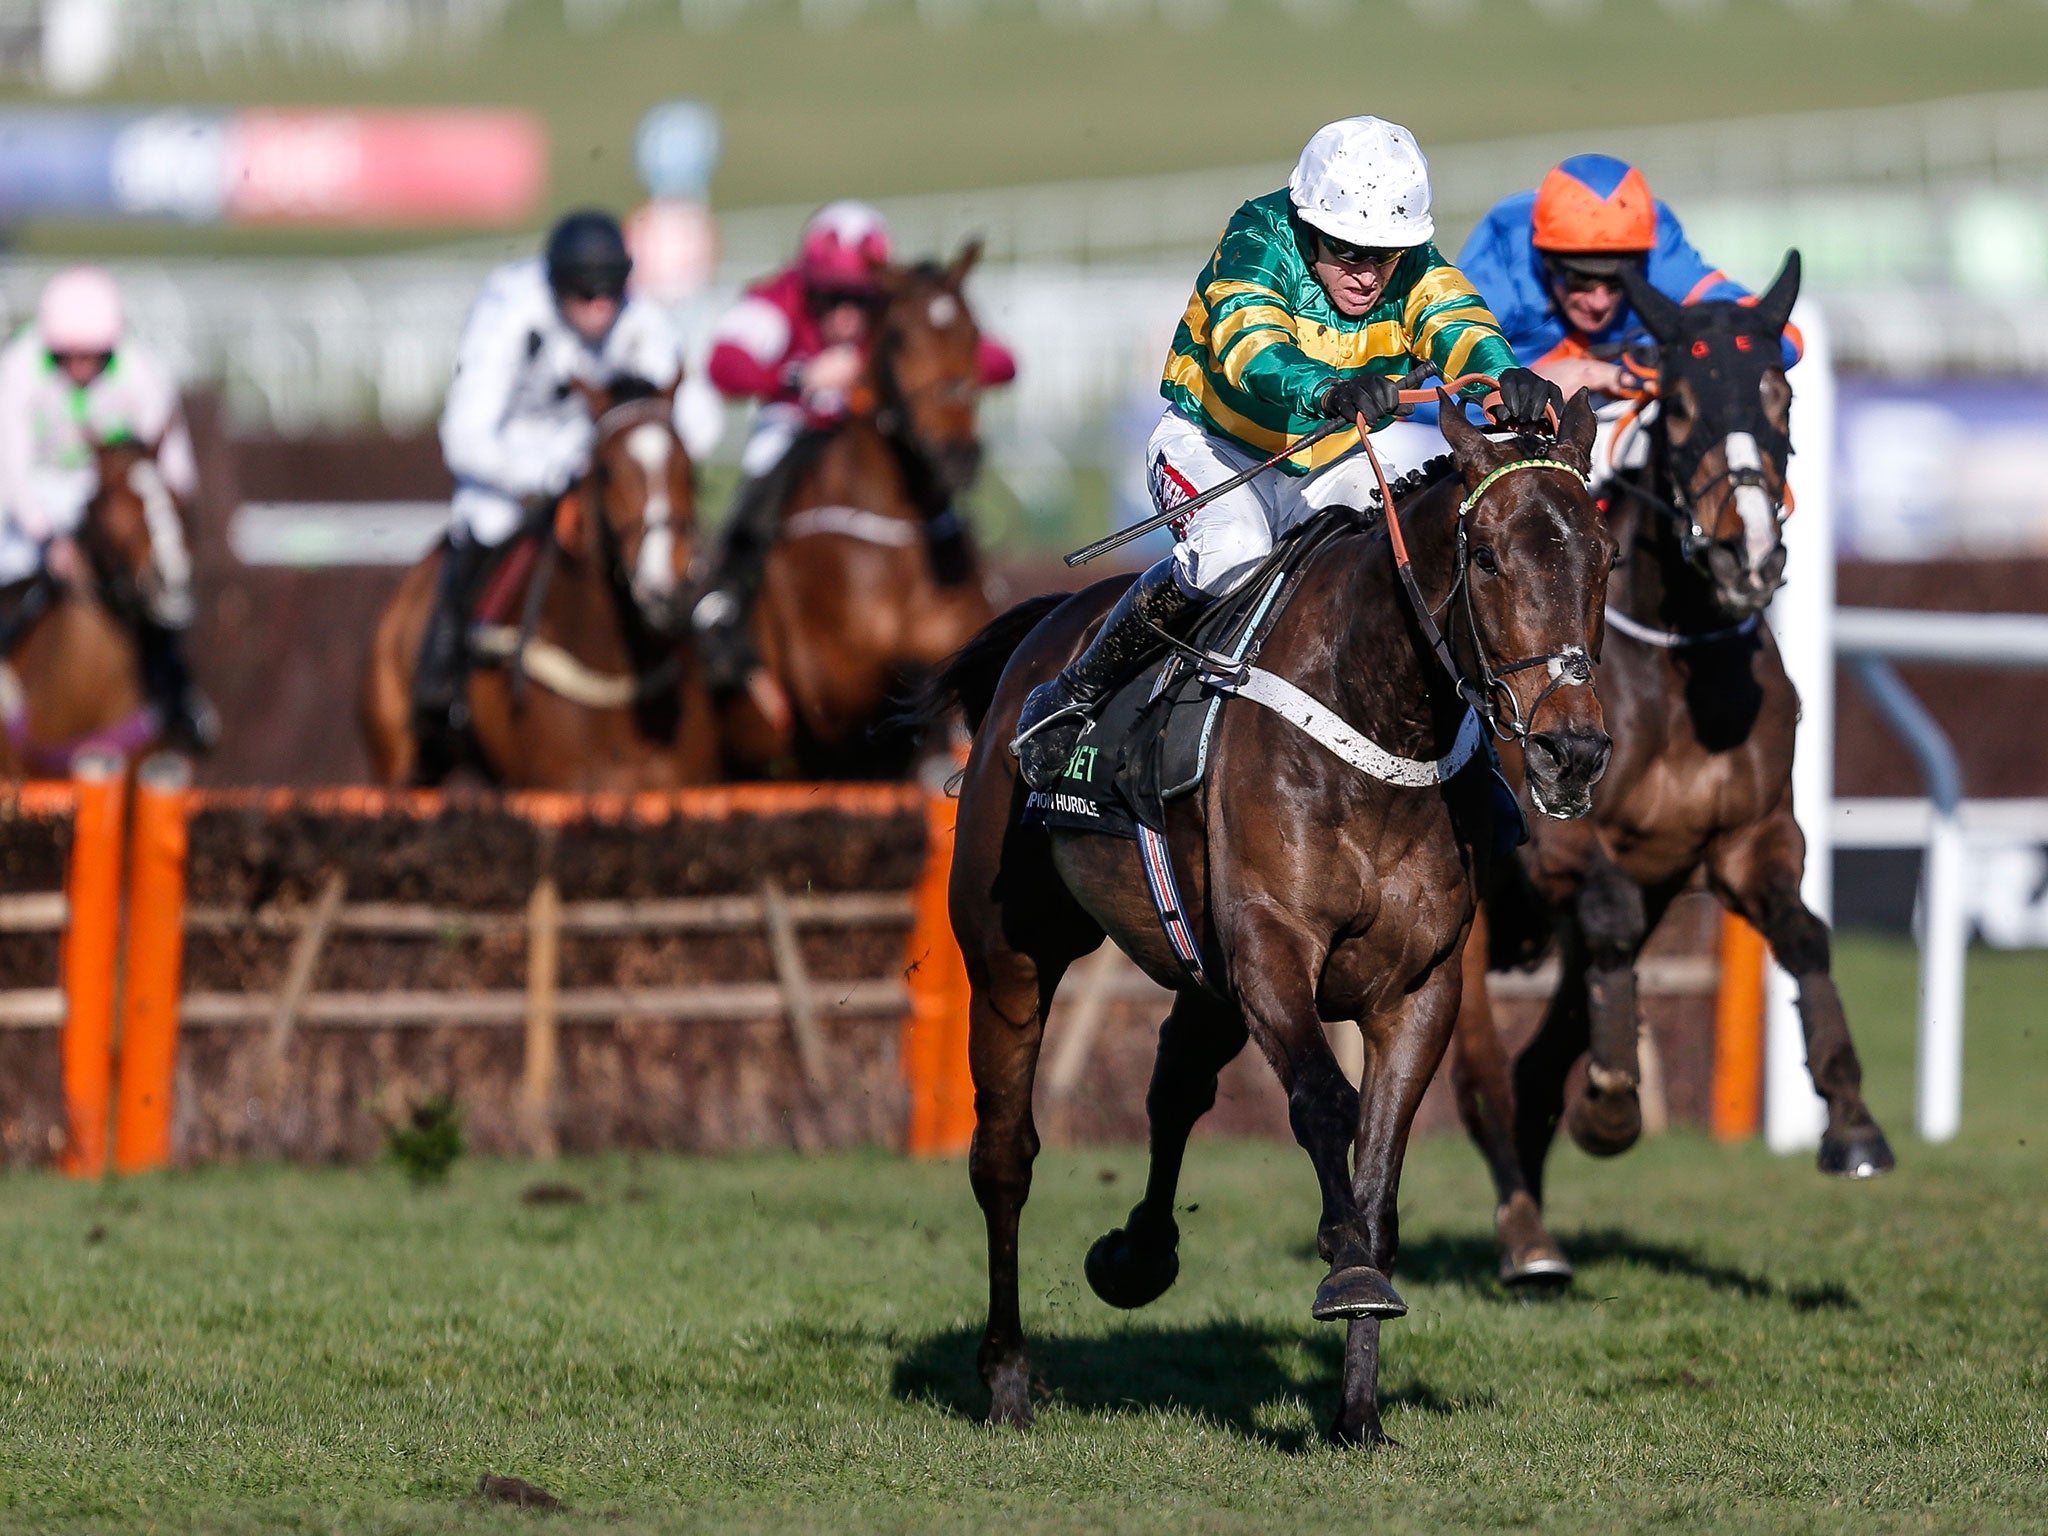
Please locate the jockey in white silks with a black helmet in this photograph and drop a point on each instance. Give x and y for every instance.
(515, 431)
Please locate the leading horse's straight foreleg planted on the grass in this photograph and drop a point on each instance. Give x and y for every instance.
(1404, 1050)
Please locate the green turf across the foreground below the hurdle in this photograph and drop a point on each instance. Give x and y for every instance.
(777, 1342)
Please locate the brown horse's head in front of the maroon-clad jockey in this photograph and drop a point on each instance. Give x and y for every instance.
(927, 368)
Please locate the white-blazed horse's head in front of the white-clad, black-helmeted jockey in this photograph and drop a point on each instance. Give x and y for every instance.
(642, 497)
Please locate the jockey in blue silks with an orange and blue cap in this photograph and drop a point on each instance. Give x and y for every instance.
(1551, 265)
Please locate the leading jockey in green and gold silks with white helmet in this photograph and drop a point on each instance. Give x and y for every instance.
(1318, 302)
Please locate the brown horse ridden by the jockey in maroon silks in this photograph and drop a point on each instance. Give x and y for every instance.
(855, 605)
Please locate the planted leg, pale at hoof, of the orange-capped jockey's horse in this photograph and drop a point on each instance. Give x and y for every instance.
(1488, 1109)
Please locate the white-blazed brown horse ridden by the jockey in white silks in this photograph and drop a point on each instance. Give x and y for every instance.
(581, 681)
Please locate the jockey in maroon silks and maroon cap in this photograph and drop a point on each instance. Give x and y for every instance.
(796, 343)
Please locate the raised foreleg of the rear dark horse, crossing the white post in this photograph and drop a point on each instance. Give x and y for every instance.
(1756, 871)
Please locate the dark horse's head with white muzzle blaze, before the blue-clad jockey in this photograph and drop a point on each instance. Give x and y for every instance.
(1725, 433)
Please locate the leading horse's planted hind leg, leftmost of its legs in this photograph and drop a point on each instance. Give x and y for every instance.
(1007, 1025)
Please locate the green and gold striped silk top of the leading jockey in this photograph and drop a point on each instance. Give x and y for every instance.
(1263, 339)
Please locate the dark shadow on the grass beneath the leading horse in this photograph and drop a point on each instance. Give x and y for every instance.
(1224, 1373)
